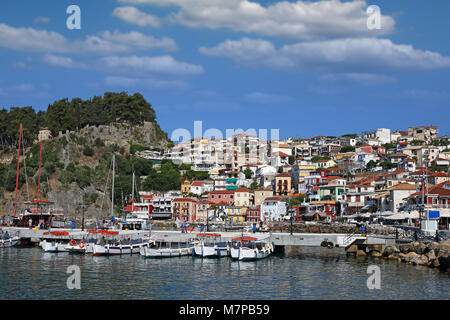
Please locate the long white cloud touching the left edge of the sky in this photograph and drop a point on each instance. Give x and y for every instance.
(106, 43)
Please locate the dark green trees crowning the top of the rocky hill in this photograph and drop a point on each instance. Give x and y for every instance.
(65, 115)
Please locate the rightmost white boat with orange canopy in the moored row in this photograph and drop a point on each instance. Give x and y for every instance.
(249, 248)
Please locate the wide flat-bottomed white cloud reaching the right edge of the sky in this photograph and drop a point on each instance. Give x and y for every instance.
(360, 55)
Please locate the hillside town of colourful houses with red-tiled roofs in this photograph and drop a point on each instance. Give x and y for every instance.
(380, 173)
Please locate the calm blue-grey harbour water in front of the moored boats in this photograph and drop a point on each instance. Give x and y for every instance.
(306, 273)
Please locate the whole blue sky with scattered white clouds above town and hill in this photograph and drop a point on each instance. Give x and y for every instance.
(306, 68)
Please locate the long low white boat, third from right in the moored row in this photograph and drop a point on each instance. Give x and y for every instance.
(164, 249)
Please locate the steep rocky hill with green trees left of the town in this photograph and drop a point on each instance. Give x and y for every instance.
(76, 162)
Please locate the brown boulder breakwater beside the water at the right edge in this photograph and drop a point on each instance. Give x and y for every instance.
(431, 254)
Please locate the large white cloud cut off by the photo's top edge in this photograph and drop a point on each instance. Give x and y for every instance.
(301, 20)
